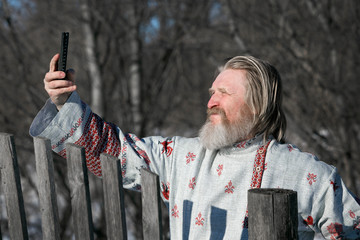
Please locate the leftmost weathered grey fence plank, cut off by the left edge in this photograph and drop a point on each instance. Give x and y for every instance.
(10, 177)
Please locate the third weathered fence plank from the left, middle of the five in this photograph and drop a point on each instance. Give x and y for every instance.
(80, 193)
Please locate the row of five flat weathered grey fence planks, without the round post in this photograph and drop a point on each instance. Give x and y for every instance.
(80, 195)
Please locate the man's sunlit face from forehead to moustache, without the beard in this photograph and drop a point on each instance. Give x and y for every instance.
(227, 103)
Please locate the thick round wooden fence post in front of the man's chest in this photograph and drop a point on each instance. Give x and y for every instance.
(273, 214)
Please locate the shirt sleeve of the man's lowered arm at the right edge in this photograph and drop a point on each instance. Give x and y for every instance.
(337, 210)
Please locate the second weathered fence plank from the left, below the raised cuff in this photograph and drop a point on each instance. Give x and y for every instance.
(46, 188)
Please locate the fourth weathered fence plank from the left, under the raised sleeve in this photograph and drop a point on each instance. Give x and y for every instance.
(113, 197)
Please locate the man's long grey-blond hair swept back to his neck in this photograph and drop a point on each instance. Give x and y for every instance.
(264, 95)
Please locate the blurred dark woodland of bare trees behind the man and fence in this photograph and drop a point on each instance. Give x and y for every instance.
(146, 65)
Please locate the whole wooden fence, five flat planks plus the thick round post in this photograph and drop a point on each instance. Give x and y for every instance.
(114, 198)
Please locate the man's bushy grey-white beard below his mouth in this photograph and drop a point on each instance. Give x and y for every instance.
(224, 134)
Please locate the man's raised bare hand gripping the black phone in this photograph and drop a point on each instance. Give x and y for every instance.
(59, 85)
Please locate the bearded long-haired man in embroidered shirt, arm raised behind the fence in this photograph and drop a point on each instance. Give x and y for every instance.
(205, 180)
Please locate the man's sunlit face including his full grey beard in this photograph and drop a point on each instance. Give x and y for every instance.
(229, 118)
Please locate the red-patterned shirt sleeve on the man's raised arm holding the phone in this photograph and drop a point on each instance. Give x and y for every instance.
(76, 123)
